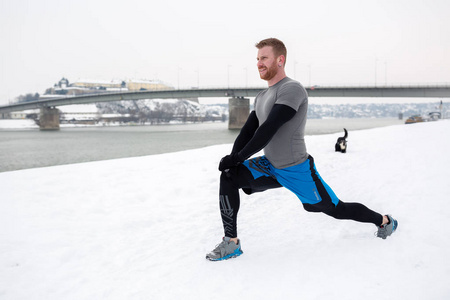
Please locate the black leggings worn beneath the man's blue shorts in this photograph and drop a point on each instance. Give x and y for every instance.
(240, 178)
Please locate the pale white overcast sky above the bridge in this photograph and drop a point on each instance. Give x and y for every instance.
(209, 43)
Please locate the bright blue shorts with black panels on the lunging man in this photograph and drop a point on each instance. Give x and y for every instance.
(302, 179)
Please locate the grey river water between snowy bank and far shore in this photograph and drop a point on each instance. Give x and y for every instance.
(24, 148)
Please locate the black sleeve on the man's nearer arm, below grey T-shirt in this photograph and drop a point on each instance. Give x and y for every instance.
(279, 115)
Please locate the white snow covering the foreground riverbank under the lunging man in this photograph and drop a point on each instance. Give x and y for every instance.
(139, 228)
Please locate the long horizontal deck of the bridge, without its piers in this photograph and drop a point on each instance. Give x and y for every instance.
(406, 90)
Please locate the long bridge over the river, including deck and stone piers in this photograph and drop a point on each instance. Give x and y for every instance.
(238, 103)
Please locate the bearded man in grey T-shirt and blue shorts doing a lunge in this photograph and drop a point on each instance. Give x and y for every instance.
(277, 125)
